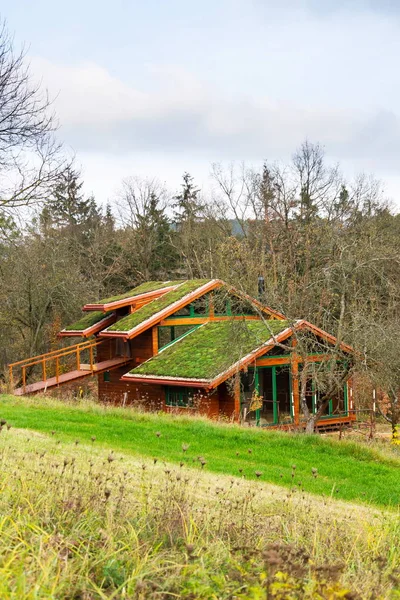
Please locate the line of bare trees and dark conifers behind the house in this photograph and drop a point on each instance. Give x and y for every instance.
(324, 247)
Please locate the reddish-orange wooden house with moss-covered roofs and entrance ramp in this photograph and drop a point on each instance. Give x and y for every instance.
(196, 345)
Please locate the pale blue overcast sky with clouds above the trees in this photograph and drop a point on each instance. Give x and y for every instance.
(157, 87)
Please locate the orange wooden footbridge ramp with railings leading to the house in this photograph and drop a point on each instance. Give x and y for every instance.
(55, 358)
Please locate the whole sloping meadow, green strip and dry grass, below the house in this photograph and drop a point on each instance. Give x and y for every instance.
(114, 504)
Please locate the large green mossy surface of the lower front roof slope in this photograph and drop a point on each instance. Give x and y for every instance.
(211, 349)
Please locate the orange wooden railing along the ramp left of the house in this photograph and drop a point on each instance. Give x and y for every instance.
(55, 356)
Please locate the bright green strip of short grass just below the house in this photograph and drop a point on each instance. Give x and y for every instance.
(346, 470)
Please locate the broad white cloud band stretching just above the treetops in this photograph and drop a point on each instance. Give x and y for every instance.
(179, 120)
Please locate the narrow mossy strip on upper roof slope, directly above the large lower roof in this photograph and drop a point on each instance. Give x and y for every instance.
(153, 307)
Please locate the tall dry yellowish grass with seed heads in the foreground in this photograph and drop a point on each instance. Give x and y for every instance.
(81, 522)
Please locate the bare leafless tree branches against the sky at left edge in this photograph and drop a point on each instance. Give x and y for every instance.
(30, 157)
